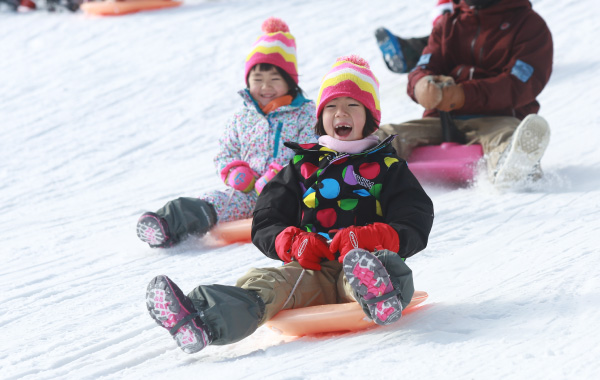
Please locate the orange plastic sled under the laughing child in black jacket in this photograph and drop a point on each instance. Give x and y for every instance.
(328, 318)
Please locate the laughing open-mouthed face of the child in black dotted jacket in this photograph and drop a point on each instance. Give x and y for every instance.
(344, 119)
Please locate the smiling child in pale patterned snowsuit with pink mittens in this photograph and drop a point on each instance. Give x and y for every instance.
(251, 150)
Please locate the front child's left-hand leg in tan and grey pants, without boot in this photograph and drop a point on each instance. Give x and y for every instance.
(231, 313)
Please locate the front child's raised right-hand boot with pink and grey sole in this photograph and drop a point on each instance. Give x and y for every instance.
(372, 286)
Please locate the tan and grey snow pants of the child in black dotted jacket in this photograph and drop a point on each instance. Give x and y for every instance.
(234, 312)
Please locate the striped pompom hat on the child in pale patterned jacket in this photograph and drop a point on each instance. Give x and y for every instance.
(277, 47)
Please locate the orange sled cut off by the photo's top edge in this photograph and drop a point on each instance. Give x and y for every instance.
(117, 8)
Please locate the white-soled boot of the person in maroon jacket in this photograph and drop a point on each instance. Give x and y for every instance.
(521, 158)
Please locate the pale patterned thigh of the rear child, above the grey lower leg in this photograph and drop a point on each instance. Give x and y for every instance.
(231, 204)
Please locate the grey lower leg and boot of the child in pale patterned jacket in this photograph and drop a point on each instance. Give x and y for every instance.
(175, 220)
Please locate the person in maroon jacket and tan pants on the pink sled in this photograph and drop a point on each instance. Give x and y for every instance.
(481, 72)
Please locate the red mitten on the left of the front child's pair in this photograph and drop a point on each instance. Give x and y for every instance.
(307, 248)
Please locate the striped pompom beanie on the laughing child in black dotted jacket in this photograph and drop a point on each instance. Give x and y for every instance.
(351, 76)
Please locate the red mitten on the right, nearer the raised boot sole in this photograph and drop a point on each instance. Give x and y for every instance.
(371, 237)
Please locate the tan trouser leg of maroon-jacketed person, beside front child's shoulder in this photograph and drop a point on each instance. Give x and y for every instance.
(427, 131)
